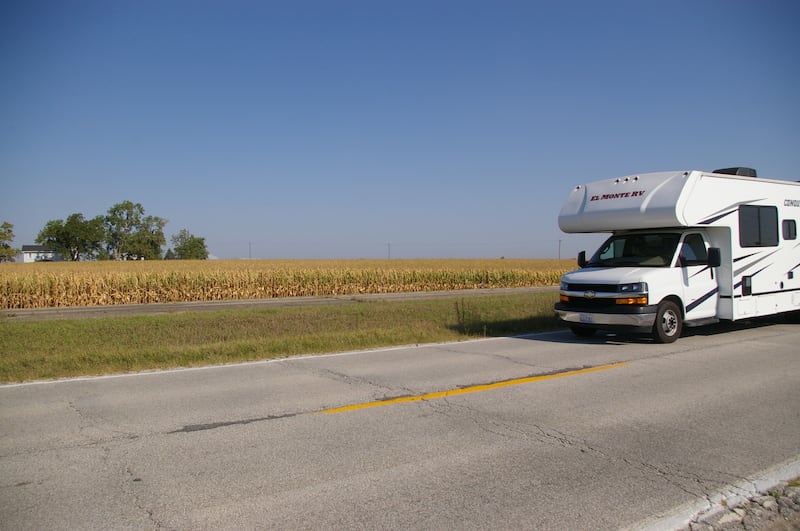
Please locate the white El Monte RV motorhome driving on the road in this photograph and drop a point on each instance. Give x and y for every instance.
(686, 248)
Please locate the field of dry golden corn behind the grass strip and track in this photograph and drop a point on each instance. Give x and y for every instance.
(60, 284)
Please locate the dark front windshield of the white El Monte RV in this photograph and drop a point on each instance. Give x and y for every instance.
(637, 249)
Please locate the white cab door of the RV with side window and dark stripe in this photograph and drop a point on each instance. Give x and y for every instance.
(700, 287)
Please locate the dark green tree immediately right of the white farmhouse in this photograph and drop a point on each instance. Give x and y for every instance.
(74, 238)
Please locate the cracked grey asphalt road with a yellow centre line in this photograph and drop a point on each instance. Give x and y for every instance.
(497, 433)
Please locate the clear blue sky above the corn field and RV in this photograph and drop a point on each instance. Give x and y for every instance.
(333, 128)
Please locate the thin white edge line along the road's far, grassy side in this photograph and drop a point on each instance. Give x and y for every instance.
(156, 372)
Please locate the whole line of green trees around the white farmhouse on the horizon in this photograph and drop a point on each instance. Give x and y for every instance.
(123, 233)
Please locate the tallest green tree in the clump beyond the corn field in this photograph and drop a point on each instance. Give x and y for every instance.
(131, 235)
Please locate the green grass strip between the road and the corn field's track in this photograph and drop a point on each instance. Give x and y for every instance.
(77, 347)
